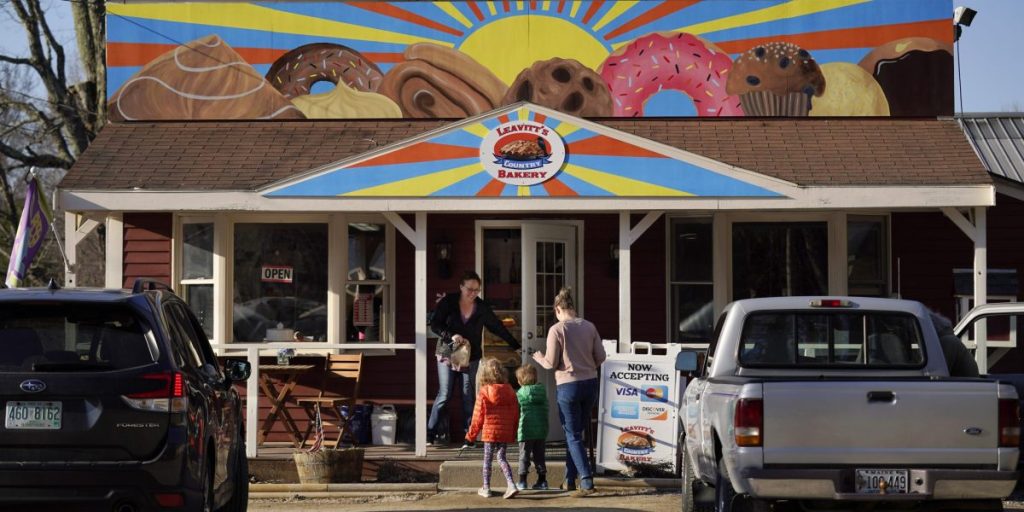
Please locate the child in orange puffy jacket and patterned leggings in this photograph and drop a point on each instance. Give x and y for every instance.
(497, 414)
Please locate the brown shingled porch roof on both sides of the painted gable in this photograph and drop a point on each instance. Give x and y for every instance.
(248, 156)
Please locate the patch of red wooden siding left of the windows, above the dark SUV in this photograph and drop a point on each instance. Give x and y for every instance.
(147, 247)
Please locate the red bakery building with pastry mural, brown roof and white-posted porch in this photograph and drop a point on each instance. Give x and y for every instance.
(325, 170)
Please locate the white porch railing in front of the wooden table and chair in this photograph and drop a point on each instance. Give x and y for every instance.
(252, 353)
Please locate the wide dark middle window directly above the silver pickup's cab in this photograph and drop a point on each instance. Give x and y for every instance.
(772, 260)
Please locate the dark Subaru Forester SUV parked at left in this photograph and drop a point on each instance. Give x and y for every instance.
(114, 401)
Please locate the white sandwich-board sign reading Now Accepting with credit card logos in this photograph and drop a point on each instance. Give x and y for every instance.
(639, 404)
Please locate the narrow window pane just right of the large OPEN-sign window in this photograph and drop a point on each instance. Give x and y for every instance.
(368, 290)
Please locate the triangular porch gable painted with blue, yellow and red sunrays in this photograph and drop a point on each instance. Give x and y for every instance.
(521, 152)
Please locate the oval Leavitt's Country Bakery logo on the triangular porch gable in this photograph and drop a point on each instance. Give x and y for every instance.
(523, 153)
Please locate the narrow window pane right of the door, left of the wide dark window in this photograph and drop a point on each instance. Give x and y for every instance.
(692, 286)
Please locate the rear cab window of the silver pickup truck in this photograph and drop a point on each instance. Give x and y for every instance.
(833, 339)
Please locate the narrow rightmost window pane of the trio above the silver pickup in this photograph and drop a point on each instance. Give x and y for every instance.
(868, 258)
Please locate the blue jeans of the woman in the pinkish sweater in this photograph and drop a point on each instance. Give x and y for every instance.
(576, 405)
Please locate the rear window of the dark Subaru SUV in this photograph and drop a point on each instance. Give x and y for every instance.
(72, 337)
